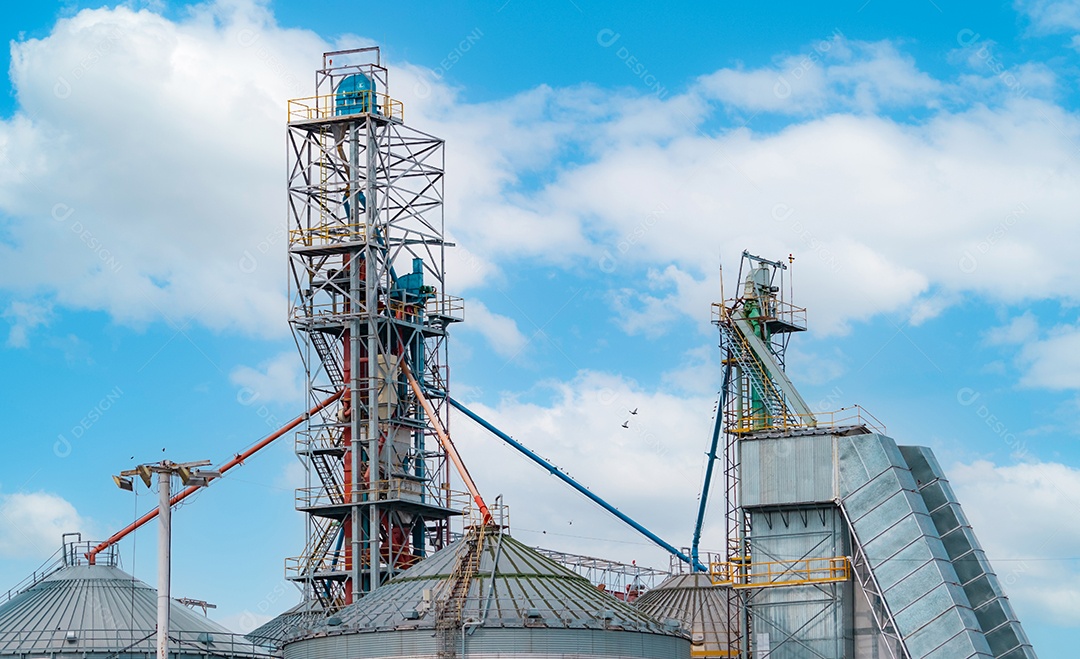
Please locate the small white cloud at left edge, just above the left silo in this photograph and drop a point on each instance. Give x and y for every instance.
(33, 523)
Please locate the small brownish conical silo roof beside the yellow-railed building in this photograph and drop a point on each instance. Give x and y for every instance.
(700, 608)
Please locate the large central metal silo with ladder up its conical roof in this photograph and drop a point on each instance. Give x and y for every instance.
(488, 596)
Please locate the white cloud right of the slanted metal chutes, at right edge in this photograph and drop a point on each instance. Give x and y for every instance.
(1033, 501)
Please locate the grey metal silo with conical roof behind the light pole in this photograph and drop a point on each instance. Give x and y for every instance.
(71, 609)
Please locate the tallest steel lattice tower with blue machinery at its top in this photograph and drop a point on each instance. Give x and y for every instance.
(368, 303)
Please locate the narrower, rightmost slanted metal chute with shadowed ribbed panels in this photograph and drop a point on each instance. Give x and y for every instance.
(985, 595)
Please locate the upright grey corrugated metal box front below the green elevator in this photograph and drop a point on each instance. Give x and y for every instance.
(788, 470)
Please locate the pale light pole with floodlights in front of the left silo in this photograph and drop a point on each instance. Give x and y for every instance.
(192, 477)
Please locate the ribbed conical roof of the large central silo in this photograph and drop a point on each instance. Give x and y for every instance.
(516, 587)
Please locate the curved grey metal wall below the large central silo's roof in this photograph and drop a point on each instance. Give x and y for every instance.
(494, 643)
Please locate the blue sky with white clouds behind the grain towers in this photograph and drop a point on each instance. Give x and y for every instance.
(920, 160)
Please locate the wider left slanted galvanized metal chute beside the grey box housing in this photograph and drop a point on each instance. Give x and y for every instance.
(888, 517)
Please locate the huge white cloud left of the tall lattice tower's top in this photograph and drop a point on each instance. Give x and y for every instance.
(147, 153)
